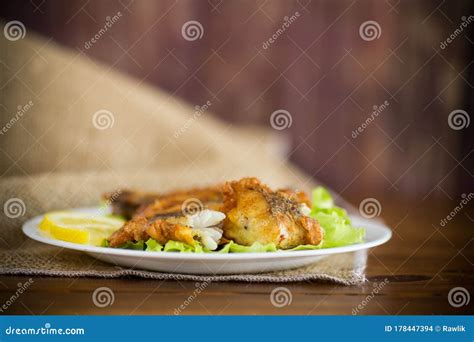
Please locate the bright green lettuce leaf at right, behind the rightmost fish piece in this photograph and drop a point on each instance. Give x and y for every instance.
(337, 227)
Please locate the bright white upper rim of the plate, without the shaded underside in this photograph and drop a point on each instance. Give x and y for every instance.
(31, 229)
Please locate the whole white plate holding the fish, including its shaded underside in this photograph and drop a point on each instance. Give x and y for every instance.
(211, 263)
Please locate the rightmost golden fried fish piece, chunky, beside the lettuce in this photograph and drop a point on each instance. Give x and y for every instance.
(256, 213)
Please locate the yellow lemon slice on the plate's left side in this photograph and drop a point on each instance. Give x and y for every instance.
(79, 228)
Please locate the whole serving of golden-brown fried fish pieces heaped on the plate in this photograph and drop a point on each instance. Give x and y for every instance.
(251, 212)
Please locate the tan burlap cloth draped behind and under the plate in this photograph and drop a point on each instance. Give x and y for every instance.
(55, 158)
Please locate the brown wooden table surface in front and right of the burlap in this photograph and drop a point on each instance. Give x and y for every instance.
(419, 266)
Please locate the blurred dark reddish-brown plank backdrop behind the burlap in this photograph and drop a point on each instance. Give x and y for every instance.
(319, 69)
